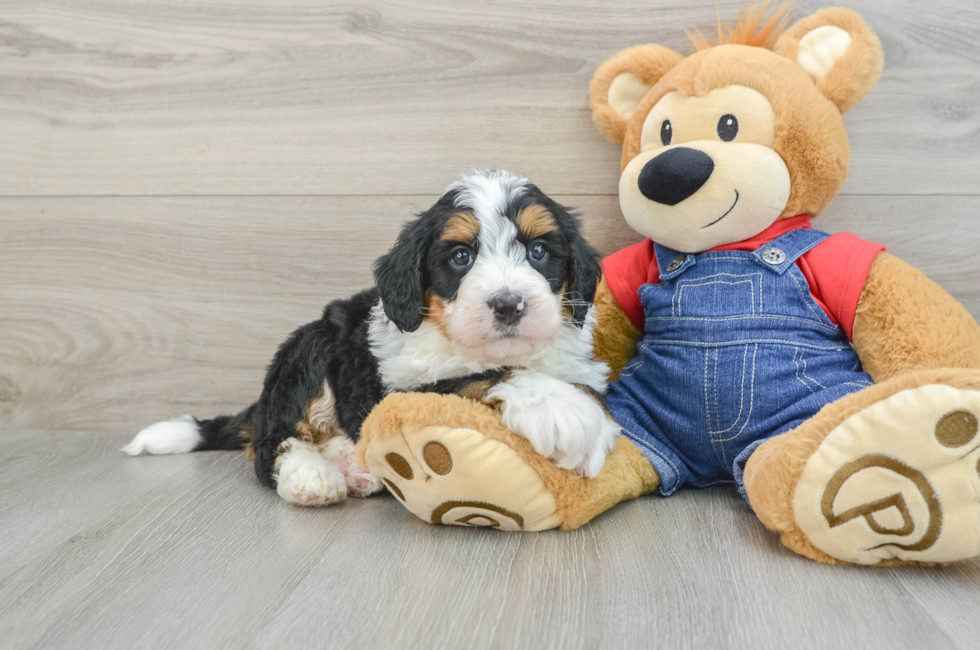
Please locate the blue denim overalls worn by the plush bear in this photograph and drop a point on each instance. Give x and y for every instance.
(735, 351)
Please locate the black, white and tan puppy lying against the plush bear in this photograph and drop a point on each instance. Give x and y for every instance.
(488, 293)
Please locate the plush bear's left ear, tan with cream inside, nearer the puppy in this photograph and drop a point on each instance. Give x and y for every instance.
(621, 83)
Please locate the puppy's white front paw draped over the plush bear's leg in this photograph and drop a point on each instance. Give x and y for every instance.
(559, 420)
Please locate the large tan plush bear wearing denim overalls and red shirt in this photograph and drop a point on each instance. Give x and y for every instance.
(835, 385)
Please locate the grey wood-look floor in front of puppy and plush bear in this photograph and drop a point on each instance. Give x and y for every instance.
(98, 550)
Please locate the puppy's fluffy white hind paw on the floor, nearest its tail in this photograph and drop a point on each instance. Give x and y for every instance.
(305, 478)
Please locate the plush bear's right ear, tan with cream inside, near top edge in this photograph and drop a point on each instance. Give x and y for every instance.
(839, 52)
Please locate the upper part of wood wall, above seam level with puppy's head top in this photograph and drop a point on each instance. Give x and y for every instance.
(377, 97)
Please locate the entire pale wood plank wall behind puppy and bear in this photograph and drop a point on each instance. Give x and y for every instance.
(184, 182)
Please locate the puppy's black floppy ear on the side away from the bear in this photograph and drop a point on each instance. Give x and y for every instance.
(399, 277)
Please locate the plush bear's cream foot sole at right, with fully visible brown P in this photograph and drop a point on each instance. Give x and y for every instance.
(898, 479)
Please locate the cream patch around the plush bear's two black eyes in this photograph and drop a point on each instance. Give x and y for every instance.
(696, 118)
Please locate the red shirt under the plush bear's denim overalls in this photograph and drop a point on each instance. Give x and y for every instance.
(836, 270)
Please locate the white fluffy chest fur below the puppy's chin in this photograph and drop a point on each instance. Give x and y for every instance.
(410, 360)
